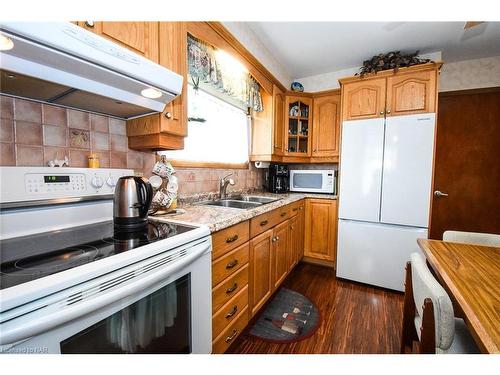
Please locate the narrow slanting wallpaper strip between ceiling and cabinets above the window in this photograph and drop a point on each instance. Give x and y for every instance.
(247, 37)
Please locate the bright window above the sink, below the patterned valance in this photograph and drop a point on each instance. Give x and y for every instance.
(218, 132)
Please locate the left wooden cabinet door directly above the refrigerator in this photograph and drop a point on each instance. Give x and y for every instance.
(364, 99)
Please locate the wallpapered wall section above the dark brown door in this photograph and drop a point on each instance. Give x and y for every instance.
(470, 74)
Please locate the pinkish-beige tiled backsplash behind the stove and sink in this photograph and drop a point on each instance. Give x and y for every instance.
(31, 134)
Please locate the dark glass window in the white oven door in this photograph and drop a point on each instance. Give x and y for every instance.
(157, 323)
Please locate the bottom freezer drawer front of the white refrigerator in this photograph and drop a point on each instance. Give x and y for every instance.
(376, 254)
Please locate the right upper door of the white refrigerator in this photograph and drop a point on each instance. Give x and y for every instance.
(407, 172)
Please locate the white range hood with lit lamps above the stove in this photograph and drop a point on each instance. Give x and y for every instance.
(63, 64)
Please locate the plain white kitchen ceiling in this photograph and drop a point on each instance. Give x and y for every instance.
(310, 48)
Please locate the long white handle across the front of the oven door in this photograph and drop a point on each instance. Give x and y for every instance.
(13, 331)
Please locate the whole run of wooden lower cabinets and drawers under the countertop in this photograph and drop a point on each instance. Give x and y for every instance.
(251, 259)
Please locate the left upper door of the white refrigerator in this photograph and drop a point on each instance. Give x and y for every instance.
(361, 169)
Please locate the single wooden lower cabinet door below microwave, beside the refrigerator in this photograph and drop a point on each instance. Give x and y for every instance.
(320, 229)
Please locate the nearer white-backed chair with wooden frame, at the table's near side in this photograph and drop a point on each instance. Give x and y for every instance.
(428, 315)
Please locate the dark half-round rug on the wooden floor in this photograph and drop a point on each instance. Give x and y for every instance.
(287, 318)
